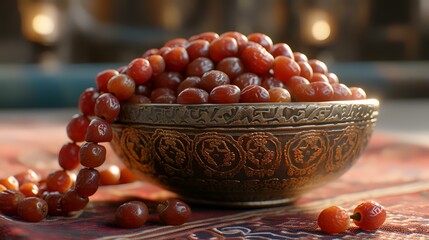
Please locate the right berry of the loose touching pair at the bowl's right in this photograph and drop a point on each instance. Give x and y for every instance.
(369, 215)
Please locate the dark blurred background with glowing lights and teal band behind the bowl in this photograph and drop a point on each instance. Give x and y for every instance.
(50, 51)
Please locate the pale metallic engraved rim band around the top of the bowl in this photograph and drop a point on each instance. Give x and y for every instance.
(245, 114)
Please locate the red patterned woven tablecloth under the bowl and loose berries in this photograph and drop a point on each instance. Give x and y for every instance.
(392, 171)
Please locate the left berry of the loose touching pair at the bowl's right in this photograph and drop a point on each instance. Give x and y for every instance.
(333, 220)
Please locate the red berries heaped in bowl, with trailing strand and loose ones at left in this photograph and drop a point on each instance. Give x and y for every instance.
(206, 68)
